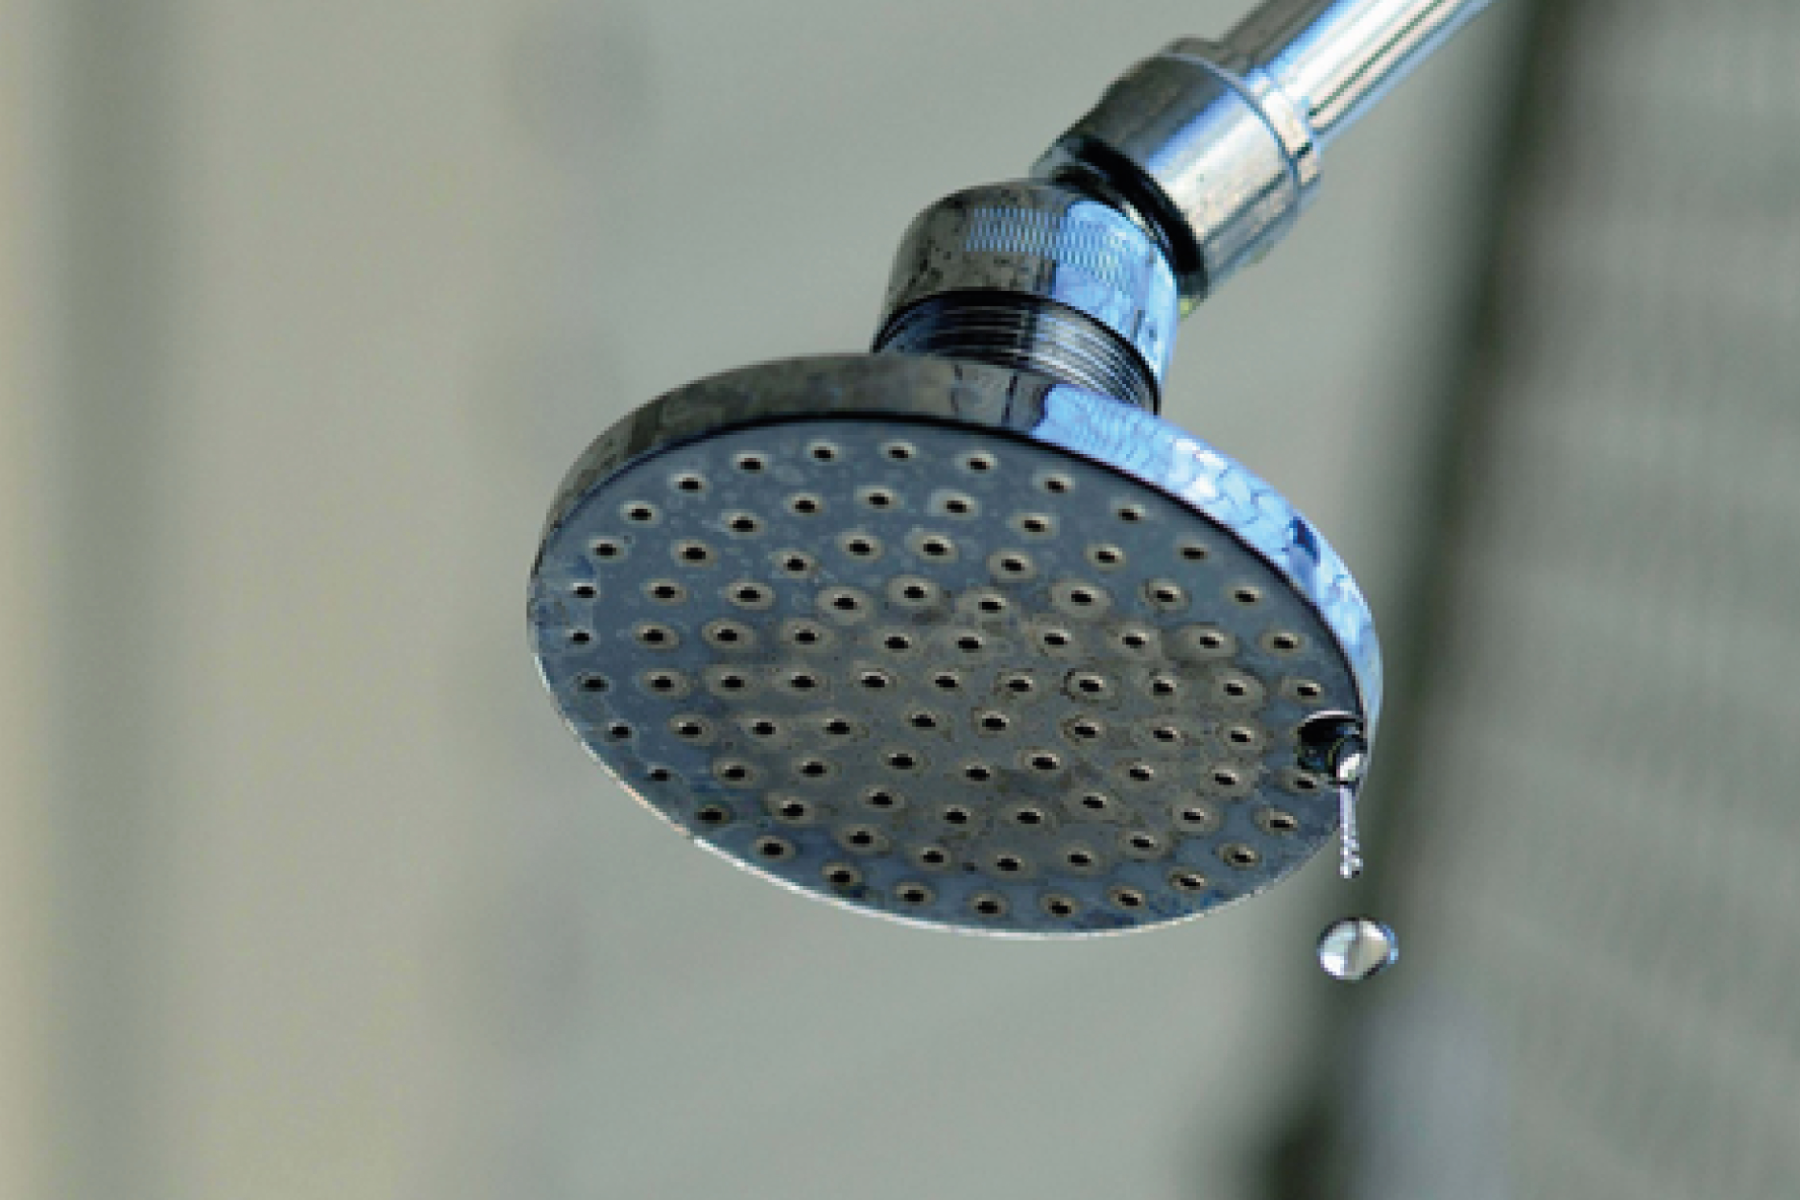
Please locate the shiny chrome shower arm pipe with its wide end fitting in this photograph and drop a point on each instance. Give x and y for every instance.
(1214, 147)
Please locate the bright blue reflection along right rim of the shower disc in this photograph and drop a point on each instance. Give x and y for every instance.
(1236, 499)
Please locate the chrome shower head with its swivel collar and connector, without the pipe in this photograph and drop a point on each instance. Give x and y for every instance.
(960, 632)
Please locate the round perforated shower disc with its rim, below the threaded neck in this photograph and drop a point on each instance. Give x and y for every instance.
(872, 629)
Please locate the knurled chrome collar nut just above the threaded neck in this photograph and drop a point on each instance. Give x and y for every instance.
(1043, 244)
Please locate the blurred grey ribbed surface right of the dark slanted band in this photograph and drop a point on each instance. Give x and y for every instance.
(1603, 830)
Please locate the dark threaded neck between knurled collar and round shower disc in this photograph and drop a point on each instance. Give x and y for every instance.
(1023, 334)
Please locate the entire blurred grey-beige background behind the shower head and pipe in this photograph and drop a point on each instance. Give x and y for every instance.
(307, 893)
